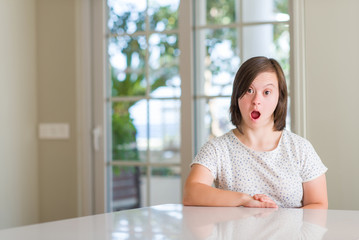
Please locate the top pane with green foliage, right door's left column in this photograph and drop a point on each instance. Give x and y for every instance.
(217, 12)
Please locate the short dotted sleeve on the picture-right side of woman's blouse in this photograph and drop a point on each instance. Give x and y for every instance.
(312, 165)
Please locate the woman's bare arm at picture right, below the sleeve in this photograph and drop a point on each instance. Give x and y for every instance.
(315, 193)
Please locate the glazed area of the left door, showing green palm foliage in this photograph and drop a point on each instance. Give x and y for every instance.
(143, 104)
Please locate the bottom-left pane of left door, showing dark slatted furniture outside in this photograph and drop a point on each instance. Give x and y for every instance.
(128, 187)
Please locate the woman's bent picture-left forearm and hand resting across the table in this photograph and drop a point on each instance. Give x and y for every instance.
(199, 192)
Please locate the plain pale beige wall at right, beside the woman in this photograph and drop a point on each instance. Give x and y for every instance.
(332, 63)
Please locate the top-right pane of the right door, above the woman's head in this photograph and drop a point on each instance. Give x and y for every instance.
(265, 10)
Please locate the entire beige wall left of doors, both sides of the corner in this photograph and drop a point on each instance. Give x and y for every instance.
(38, 178)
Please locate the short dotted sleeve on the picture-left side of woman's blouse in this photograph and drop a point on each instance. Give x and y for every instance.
(207, 157)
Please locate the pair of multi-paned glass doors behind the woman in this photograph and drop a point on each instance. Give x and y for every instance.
(168, 68)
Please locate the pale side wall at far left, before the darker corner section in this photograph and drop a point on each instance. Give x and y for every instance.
(18, 140)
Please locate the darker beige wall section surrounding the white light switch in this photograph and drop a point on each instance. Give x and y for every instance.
(56, 85)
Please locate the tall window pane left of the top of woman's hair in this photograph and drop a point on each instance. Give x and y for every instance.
(218, 61)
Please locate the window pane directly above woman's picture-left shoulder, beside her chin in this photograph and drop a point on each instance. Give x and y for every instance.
(212, 119)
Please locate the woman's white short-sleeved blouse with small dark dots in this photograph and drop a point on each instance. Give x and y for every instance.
(278, 173)
